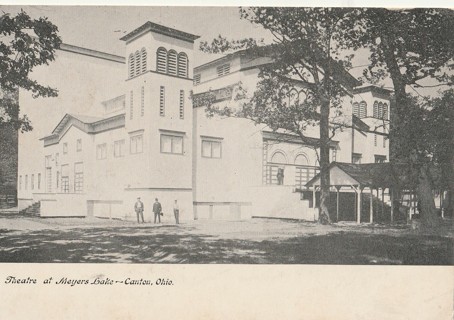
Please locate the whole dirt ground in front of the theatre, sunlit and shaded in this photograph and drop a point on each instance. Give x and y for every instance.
(256, 241)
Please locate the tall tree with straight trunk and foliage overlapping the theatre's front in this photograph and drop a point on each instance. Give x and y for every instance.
(304, 84)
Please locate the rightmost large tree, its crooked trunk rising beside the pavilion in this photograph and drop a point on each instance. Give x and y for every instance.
(409, 46)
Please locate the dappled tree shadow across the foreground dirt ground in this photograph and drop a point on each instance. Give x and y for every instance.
(170, 244)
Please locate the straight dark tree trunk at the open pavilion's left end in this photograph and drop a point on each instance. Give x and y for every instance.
(324, 163)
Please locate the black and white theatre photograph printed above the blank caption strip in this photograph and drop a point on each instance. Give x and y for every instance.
(249, 136)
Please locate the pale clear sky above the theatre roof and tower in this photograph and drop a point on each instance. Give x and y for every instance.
(101, 27)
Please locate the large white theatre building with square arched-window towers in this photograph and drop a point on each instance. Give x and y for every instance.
(133, 131)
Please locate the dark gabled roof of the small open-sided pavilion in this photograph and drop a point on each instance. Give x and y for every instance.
(367, 175)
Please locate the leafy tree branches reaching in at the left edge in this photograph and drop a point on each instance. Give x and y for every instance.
(25, 43)
